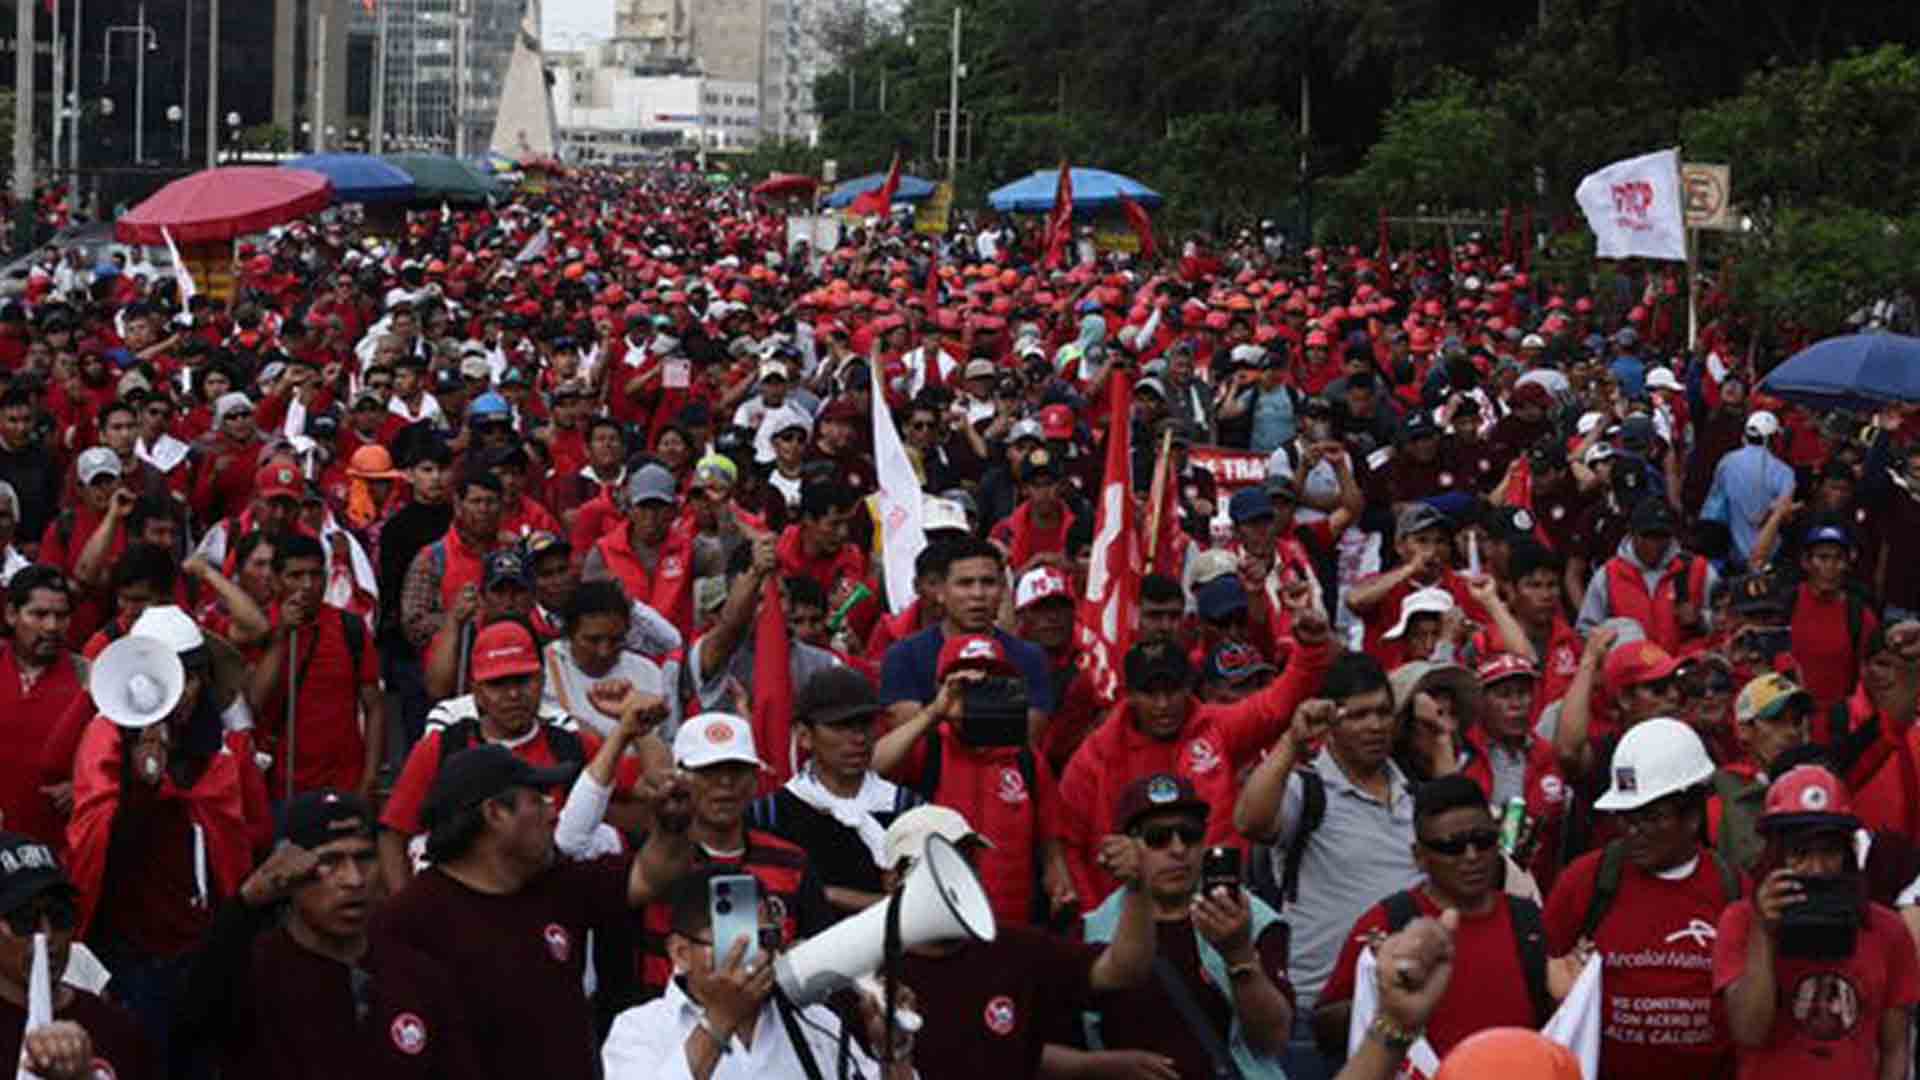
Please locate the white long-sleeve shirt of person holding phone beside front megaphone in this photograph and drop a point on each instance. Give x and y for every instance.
(650, 1044)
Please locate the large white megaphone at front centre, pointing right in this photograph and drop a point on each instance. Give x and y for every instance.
(940, 902)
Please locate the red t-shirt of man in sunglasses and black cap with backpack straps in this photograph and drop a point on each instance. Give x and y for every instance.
(1497, 994)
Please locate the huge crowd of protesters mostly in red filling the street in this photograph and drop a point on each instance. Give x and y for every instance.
(1539, 641)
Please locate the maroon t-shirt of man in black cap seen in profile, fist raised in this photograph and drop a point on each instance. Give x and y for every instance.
(496, 979)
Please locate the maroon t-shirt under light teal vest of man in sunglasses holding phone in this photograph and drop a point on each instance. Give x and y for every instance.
(1145, 1018)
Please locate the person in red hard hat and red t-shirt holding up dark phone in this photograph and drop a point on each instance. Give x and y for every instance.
(1804, 998)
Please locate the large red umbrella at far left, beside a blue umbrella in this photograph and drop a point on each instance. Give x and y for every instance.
(222, 205)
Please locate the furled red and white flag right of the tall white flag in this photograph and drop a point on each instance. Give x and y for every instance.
(1111, 604)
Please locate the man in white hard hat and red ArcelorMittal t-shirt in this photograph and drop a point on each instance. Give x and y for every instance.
(1656, 931)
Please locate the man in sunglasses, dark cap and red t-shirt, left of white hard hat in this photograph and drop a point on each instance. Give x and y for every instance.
(1458, 850)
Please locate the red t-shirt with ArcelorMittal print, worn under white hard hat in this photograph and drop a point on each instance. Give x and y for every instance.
(1660, 1018)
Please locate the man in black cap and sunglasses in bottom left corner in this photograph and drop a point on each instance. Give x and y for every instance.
(37, 898)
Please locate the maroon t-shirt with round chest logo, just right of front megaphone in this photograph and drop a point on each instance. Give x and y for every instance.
(996, 1004)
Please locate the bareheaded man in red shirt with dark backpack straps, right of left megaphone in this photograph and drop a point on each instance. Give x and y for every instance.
(339, 720)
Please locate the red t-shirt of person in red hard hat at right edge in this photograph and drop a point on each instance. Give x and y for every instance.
(1827, 1016)
